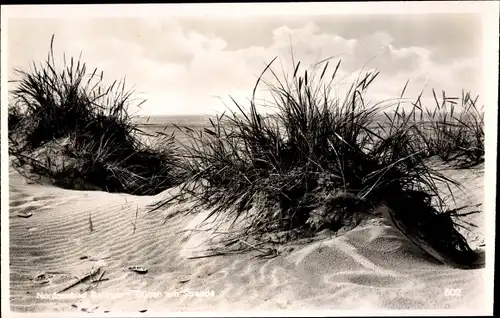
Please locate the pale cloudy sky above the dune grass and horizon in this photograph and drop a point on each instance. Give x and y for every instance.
(191, 64)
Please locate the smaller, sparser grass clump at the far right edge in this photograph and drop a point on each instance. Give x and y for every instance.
(453, 130)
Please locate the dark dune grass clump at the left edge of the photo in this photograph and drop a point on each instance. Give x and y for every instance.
(77, 133)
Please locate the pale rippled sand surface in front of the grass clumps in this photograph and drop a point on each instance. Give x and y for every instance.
(371, 267)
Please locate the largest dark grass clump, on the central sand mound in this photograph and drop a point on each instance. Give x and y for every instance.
(318, 163)
